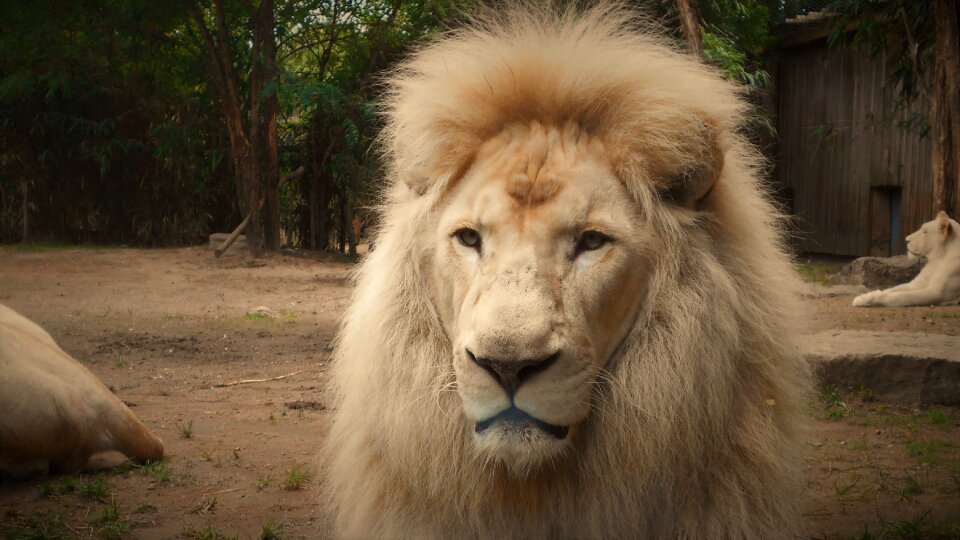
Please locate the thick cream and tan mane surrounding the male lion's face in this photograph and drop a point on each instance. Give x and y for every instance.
(694, 430)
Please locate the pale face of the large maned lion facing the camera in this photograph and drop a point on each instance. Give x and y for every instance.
(538, 277)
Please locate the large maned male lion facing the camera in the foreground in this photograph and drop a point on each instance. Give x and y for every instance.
(579, 320)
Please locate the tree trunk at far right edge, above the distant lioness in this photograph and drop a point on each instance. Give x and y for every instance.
(945, 109)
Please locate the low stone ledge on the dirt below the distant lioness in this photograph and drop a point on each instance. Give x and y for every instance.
(900, 367)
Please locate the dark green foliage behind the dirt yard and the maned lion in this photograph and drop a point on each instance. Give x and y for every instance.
(111, 131)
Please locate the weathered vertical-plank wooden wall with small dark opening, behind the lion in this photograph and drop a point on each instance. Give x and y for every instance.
(842, 155)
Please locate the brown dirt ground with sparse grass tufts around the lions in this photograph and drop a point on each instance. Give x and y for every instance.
(162, 328)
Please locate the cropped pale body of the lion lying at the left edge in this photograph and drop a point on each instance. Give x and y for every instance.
(57, 416)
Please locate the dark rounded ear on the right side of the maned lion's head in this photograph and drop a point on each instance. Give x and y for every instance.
(694, 181)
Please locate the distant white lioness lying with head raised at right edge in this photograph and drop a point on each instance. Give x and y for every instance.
(938, 284)
